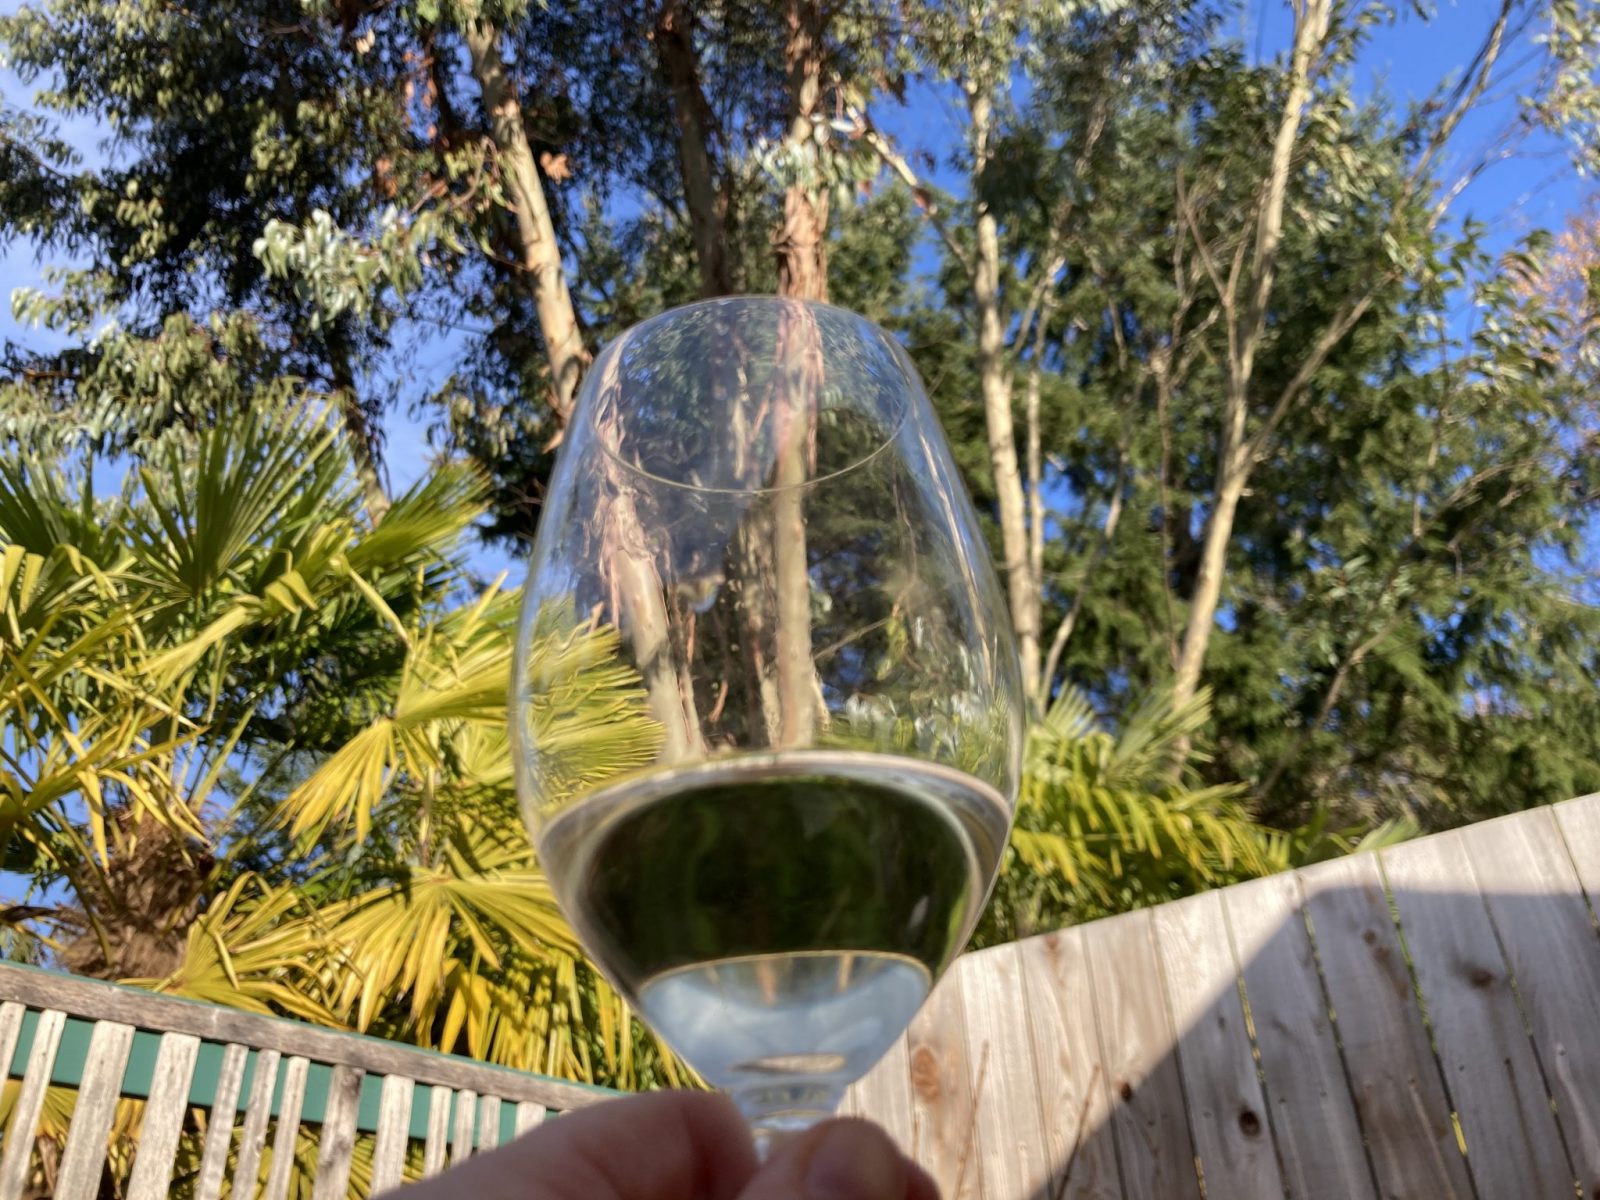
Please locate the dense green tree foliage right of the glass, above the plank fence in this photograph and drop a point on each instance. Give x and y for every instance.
(1406, 626)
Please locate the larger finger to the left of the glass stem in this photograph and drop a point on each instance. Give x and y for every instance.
(668, 1146)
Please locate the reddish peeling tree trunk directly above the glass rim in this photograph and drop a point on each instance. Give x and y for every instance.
(801, 241)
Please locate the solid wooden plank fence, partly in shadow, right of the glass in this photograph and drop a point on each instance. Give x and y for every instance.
(1418, 1025)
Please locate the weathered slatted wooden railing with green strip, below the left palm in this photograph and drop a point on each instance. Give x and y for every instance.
(111, 1044)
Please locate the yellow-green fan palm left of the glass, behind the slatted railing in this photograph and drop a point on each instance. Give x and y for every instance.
(254, 750)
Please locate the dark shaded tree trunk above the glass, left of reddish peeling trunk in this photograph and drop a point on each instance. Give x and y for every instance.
(690, 111)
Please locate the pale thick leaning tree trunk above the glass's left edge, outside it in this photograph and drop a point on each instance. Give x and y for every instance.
(542, 257)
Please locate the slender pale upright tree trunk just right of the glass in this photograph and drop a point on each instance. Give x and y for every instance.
(996, 386)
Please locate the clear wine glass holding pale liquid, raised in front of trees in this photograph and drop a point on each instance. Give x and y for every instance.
(754, 518)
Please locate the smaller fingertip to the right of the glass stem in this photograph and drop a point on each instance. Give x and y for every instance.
(841, 1161)
